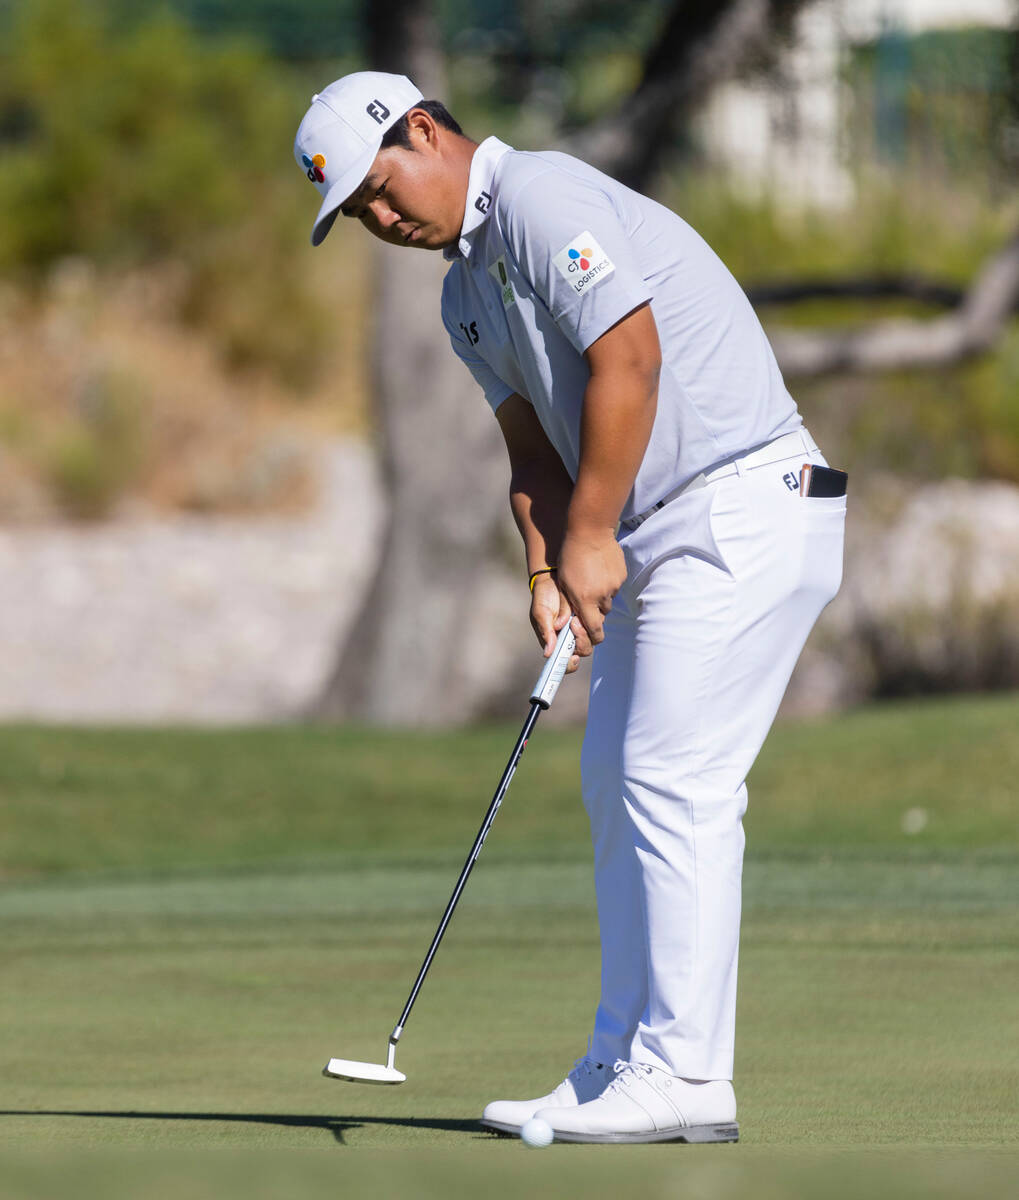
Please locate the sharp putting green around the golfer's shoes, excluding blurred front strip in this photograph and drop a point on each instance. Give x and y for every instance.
(199, 1011)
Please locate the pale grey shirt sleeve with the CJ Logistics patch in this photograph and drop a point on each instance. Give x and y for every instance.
(572, 245)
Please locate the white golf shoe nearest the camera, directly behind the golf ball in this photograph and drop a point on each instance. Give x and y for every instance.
(644, 1103)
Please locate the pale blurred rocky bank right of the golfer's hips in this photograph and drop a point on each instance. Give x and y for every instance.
(930, 601)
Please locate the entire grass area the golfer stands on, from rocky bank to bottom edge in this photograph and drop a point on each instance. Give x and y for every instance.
(194, 922)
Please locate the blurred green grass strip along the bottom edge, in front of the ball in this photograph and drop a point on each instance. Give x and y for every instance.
(512, 1171)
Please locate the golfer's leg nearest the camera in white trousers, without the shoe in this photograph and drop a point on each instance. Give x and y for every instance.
(717, 641)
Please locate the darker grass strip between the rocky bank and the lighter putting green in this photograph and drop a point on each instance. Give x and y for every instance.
(149, 801)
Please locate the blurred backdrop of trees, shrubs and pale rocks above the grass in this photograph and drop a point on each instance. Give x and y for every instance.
(243, 479)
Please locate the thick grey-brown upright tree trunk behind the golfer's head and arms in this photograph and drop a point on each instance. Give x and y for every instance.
(440, 451)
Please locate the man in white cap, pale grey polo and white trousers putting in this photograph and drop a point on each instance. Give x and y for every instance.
(670, 500)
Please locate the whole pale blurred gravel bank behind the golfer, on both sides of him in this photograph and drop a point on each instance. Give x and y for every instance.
(215, 620)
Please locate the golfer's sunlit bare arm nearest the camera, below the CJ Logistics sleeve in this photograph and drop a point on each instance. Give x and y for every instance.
(619, 413)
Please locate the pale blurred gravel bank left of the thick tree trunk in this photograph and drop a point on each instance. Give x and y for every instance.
(191, 620)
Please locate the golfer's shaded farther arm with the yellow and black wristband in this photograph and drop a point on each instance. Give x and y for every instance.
(541, 490)
